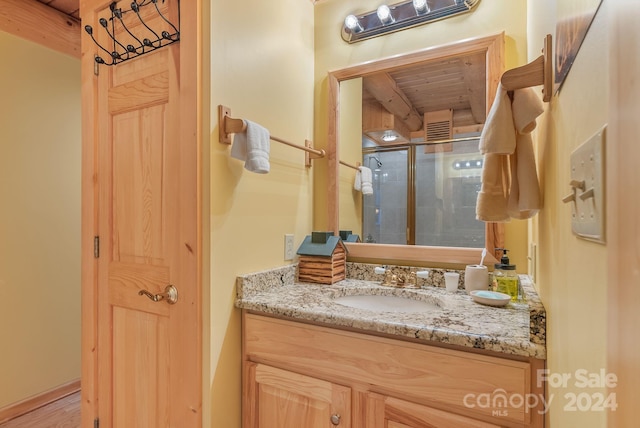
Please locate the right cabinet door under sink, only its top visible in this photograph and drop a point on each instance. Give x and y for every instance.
(388, 412)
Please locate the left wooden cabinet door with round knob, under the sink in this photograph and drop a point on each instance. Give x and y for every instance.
(283, 399)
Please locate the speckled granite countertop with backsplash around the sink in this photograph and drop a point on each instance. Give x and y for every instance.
(516, 329)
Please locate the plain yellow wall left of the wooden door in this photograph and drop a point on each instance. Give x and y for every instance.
(39, 219)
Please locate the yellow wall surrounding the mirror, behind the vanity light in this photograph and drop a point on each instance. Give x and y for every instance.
(332, 53)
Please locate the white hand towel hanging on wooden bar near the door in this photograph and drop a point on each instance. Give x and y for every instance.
(252, 147)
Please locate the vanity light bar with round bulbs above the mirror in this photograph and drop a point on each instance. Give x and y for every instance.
(400, 16)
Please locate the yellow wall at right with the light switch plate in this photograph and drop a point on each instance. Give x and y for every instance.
(572, 272)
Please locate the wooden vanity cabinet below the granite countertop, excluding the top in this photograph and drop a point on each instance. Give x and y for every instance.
(299, 375)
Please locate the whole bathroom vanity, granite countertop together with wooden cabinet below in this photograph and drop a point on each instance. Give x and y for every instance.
(309, 361)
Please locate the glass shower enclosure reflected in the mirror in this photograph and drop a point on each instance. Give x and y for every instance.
(424, 196)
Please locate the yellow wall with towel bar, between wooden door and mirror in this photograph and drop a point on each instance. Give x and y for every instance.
(262, 68)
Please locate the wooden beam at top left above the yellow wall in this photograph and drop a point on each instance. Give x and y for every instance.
(41, 24)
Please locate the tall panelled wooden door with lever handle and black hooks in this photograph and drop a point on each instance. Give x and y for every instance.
(142, 356)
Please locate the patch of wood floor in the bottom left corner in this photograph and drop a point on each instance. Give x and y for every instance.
(63, 413)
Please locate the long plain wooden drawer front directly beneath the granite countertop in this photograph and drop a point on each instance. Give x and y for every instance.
(466, 383)
